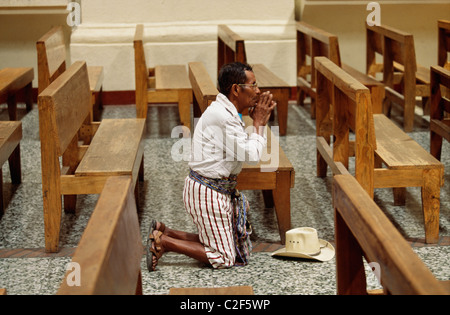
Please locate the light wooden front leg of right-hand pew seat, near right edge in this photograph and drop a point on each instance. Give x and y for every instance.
(431, 205)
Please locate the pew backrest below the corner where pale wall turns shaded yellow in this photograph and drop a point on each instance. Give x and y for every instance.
(313, 42)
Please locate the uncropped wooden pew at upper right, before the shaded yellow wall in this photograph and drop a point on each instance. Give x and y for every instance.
(403, 78)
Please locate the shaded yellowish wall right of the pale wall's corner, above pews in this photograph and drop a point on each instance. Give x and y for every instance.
(346, 19)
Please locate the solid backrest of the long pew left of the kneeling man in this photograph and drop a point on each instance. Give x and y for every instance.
(63, 107)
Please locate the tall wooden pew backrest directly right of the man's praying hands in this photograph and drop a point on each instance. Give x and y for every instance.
(348, 102)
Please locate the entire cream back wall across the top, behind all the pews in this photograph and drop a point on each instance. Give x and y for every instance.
(180, 31)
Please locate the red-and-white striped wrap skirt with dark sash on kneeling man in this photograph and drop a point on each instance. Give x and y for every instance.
(220, 213)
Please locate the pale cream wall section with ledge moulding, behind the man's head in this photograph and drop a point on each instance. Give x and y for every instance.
(180, 31)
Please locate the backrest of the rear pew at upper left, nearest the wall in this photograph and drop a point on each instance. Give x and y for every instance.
(51, 51)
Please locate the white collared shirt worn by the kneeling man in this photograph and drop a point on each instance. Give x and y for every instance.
(221, 145)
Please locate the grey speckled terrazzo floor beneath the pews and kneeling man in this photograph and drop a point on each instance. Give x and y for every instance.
(32, 272)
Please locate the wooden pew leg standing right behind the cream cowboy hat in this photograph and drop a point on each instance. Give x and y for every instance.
(282, 201)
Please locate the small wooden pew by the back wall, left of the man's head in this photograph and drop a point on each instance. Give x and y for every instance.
(162, 84)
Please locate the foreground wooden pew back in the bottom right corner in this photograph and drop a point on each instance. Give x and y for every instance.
(362, 229)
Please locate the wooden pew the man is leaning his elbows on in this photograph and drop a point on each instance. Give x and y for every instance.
(277, 180)
